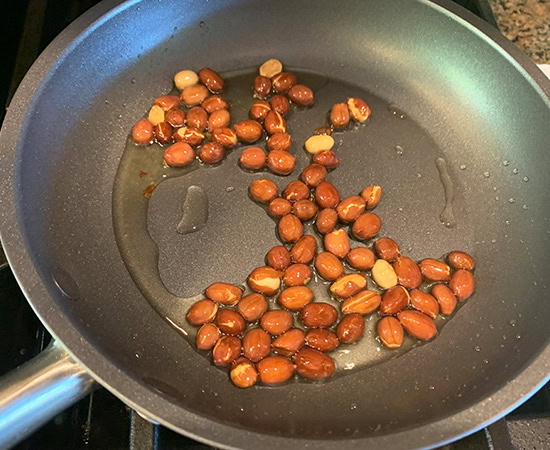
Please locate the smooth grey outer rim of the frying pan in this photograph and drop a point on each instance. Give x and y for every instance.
(135, 393)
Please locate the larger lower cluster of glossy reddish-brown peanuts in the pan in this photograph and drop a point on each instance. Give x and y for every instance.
(264, 350)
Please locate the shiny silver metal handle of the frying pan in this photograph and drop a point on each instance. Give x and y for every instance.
(38, 390)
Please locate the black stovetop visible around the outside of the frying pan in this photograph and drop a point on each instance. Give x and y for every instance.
(101, 420)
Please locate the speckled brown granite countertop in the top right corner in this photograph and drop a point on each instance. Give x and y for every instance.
(527, 24)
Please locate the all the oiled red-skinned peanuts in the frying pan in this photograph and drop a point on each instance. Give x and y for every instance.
(242, 332)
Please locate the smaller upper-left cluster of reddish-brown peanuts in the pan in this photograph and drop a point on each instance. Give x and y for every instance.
(205, 125)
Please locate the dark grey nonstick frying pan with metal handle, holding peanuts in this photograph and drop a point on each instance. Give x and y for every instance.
(107, 273)
